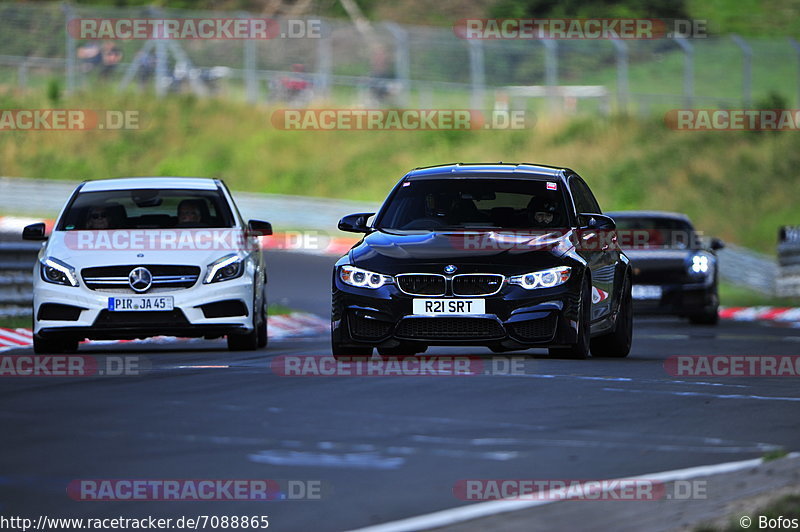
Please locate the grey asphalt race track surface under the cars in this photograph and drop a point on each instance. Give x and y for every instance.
(385, 448)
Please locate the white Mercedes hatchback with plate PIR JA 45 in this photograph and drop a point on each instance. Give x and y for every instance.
(148, 256)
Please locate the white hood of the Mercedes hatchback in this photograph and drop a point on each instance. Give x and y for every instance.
(67, 246)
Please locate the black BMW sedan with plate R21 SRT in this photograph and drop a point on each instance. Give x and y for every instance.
(507, 256)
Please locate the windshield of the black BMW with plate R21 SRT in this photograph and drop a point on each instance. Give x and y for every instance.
(434, 204)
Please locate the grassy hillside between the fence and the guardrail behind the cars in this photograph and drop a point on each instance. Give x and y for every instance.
(737, 185)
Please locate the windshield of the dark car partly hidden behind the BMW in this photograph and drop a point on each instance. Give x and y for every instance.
(655, 232)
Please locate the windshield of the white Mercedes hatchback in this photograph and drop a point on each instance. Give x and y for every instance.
(147, 209)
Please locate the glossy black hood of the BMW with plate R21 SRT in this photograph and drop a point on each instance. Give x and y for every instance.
(392, 252)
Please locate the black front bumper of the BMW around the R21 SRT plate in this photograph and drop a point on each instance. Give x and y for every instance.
(514, 318)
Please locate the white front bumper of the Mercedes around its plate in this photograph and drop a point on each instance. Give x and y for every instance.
(83, 313)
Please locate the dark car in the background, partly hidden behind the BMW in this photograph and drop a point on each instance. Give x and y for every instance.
(674, 269)
